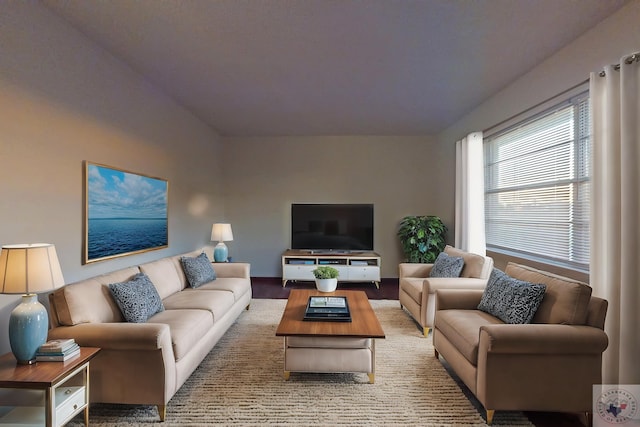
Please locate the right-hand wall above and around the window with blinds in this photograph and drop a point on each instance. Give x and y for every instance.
(605, 44)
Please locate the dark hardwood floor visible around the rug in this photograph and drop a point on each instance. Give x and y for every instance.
(271, 287)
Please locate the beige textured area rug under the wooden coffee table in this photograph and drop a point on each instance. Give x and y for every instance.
(240, 383)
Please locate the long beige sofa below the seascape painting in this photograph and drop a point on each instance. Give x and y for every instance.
(146, 363)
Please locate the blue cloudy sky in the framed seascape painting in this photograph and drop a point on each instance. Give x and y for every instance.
(116, 194)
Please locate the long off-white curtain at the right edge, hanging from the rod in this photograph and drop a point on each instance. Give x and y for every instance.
(615, 200)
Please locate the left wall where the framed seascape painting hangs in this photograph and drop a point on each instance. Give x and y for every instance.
(64, 100)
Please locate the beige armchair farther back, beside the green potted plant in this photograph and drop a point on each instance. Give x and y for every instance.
(417, 289)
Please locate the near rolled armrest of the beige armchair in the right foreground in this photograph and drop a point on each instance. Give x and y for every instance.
(542, 339)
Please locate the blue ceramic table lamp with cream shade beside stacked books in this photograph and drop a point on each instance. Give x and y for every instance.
(29, 269)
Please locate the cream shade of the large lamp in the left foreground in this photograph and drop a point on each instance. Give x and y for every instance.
(27, 269)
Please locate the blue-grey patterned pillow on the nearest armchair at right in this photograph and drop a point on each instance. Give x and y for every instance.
(511, 300)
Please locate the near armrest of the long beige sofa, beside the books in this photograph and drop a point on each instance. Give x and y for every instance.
(116, 336)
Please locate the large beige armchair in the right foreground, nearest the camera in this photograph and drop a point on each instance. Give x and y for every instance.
(547, 365)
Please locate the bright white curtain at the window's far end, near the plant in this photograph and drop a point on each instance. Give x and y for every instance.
(469, 227)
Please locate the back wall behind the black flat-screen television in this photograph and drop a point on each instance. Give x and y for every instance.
(263, 176)
